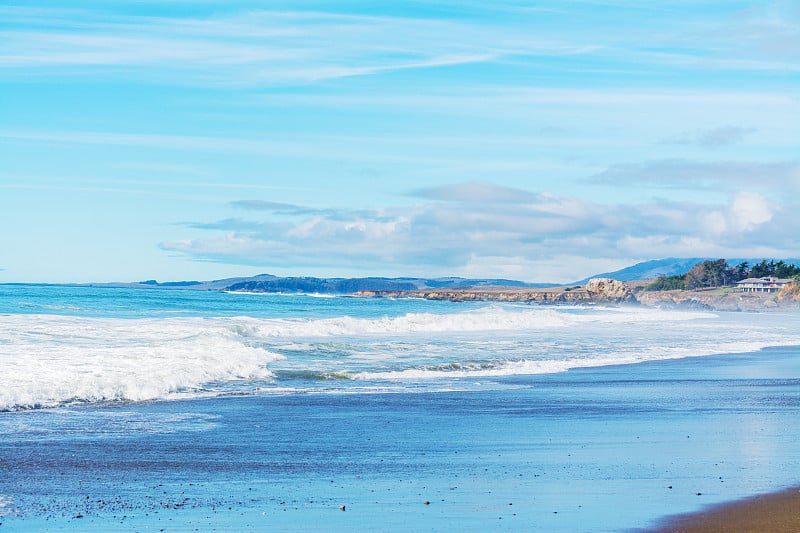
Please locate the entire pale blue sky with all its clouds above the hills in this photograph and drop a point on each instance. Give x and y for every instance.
(543, 141)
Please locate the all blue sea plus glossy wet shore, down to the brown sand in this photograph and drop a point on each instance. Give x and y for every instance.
(136, 409)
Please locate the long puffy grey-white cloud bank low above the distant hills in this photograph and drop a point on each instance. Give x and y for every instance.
(518, 240)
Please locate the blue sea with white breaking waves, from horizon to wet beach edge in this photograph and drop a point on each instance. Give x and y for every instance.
(62, 346)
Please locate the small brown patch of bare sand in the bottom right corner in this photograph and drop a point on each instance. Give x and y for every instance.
(773, 513)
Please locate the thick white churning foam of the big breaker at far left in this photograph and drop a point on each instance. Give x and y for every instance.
(49, 360)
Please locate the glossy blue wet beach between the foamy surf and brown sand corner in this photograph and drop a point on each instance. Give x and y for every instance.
(557, 452)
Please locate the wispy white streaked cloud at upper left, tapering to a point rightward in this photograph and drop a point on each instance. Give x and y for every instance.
(252, 47)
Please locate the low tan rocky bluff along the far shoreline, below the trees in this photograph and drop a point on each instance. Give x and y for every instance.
(605, 291)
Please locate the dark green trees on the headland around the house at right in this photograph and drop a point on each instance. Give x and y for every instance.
(717, 273)
